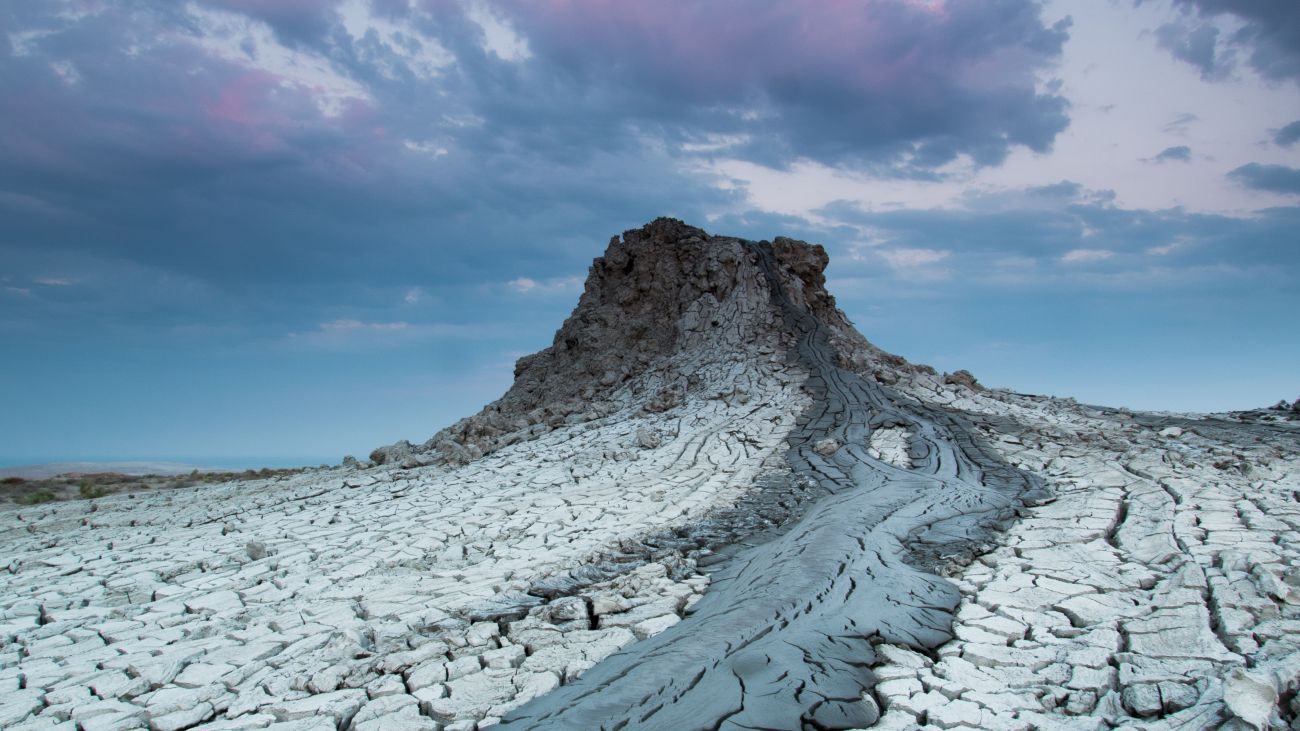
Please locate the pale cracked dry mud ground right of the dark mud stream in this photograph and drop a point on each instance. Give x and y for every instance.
(1158, 592)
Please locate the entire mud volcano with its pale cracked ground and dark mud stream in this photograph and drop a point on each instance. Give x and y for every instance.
(710, 505)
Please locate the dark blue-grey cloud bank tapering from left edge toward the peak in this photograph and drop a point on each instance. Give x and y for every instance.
(159, 150)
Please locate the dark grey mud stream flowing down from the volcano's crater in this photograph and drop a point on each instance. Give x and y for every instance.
(783, 641)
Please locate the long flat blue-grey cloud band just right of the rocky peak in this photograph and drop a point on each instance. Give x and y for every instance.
(1007, 243)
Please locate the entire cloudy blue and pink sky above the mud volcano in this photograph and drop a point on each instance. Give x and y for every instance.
(270, 232)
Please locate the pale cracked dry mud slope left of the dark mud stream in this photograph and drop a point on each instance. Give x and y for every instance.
(310, 599)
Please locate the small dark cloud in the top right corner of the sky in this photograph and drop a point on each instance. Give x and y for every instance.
(1269, 37)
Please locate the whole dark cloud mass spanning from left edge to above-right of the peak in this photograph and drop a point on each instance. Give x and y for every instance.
(171, 141)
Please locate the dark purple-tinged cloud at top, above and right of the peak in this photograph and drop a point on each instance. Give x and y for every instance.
(853, 84)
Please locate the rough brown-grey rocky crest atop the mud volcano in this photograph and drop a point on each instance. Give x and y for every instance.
(660, 296)
